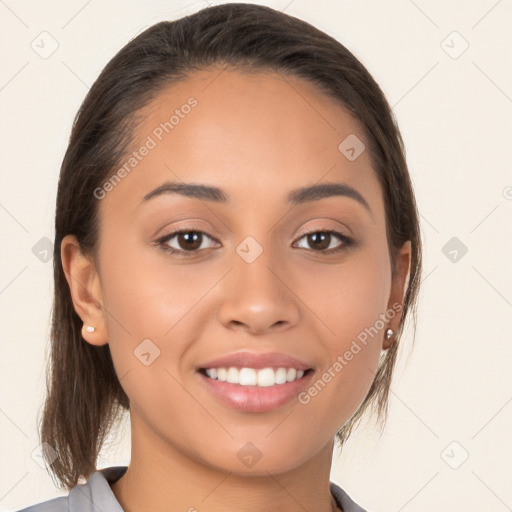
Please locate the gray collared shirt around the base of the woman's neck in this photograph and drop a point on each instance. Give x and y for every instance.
(97, 496)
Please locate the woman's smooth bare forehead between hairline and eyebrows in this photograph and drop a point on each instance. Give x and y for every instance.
(256, 134)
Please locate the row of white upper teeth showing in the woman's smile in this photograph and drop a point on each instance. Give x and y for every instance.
(251, 377)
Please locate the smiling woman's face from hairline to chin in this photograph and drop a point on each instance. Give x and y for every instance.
(254, 283)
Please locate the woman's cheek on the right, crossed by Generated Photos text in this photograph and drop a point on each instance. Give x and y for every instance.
(351, 302)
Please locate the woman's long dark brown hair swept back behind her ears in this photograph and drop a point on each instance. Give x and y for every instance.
(84, 397)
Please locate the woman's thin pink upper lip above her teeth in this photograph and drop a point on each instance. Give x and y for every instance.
(256, 360)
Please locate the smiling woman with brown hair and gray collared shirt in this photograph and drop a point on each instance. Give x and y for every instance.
(237, 249)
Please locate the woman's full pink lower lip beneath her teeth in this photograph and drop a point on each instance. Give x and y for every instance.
(254, 398)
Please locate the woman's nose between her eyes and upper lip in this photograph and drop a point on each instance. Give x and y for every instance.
(258, 297)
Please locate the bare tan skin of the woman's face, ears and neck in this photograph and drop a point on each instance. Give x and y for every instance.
(256, 137)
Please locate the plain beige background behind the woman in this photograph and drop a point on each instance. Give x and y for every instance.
(455, 112)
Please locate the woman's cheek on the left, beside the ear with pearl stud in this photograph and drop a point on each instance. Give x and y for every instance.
(148, 313)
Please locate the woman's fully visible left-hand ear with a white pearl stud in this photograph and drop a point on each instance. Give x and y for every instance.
(85, 288)
